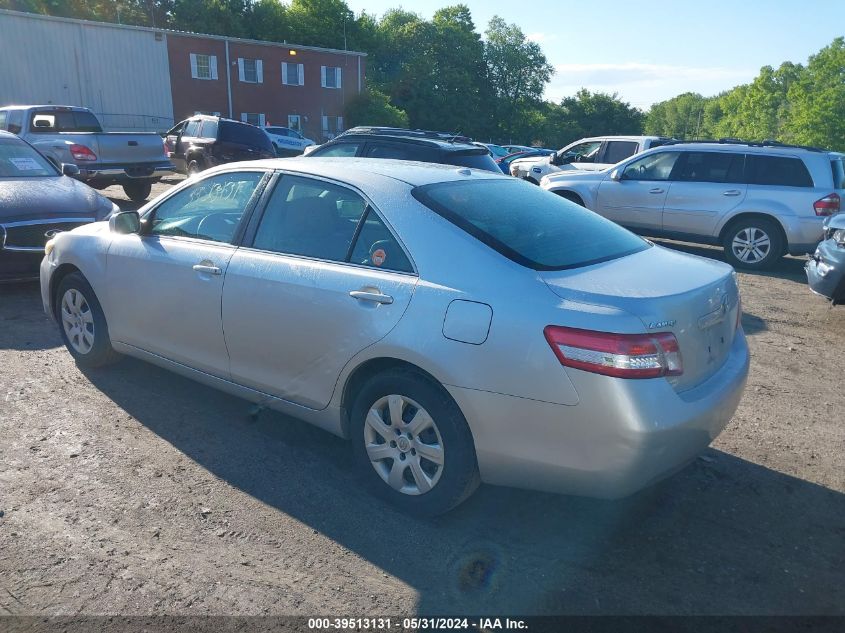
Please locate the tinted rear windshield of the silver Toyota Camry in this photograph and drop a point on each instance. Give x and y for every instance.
(531, 226)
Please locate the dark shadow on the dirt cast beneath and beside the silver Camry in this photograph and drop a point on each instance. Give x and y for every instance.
(724, 536)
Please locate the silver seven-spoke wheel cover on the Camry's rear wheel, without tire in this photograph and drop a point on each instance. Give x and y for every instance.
(404, 445)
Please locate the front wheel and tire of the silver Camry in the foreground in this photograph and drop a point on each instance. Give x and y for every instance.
(82, 323)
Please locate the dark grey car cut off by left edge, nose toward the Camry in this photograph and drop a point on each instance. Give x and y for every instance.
(37, 201)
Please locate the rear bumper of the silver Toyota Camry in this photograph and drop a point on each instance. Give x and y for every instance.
(622, 436)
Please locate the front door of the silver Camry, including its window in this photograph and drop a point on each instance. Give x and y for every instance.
(165, 284)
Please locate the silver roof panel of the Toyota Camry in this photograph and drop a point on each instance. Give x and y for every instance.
(360, 171)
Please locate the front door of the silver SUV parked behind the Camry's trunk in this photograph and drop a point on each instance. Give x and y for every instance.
(636, 198)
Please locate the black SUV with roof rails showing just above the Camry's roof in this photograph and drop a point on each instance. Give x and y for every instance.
(421, 145)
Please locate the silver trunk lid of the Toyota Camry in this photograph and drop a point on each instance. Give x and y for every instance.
(694, 298)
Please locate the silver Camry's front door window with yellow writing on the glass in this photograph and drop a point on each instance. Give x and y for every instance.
(210, 209)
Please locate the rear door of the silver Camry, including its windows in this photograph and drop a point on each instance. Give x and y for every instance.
(320, 278)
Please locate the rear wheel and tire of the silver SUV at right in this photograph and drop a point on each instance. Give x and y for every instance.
(753, 243)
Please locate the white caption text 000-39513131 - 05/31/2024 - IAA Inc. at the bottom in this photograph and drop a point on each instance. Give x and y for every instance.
(416, 624)
